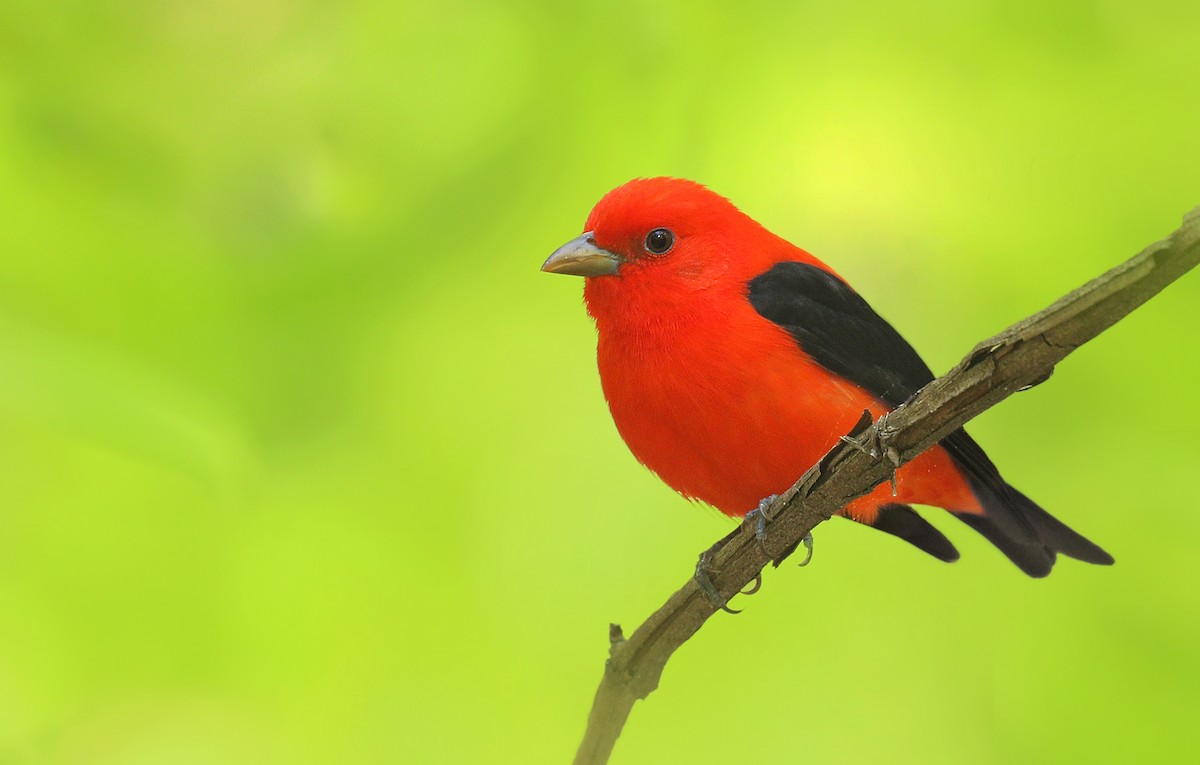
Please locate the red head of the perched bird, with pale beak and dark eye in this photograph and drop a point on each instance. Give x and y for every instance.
(662, 231)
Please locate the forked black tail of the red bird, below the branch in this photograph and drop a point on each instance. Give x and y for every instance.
(1028, 535)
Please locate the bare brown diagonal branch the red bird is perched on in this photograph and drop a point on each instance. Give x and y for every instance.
(1019, 358)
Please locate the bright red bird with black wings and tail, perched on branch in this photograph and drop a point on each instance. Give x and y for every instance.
(734, 360)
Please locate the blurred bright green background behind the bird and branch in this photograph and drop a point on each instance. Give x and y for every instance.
(303, 461)
